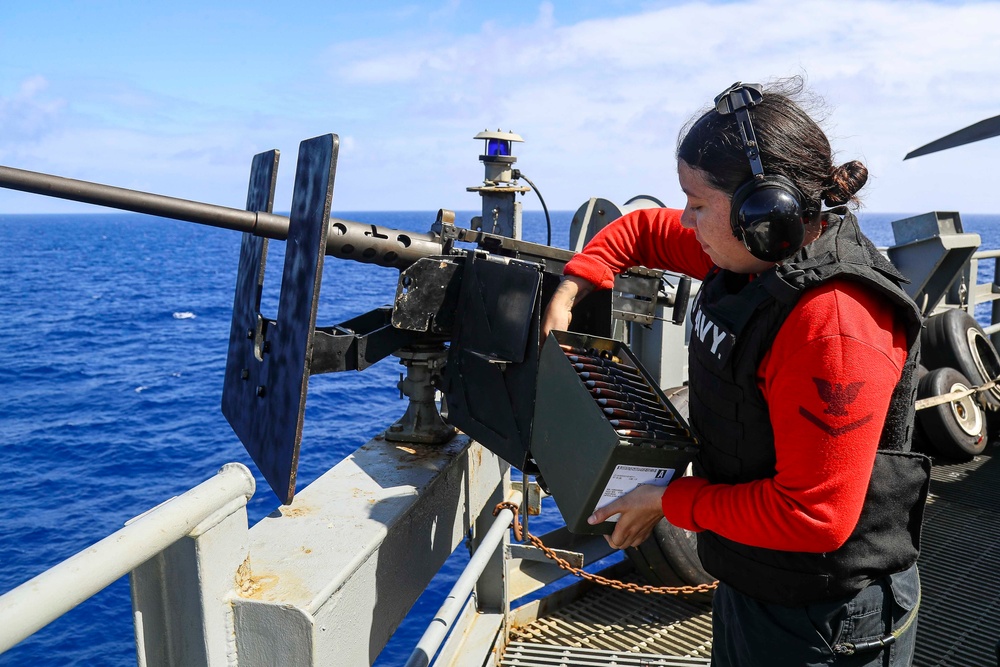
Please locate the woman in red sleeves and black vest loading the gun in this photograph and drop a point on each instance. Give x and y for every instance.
(806, 498)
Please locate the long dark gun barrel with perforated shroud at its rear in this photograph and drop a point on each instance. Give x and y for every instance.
(357, 241)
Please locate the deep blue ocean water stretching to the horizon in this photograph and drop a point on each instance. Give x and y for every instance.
(113, 359)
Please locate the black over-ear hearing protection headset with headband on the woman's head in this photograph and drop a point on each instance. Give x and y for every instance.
(767, 213)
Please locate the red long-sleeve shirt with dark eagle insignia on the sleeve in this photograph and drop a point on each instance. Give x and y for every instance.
(827, 380)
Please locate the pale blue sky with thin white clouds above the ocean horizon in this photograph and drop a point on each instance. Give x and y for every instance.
(177, 97)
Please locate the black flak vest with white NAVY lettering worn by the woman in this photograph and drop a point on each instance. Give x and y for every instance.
(734, 322)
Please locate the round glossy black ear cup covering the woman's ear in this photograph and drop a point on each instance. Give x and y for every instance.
(766, 215)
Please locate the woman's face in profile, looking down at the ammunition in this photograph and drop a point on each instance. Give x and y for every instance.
(707, 213)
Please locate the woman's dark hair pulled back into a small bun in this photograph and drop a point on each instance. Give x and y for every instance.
(791, 144)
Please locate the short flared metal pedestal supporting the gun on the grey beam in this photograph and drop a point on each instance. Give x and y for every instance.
(421, 422)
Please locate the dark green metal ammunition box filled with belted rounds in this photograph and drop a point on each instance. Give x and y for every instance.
(576, 445)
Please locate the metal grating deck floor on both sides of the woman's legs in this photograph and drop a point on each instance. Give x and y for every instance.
(959, 623)
